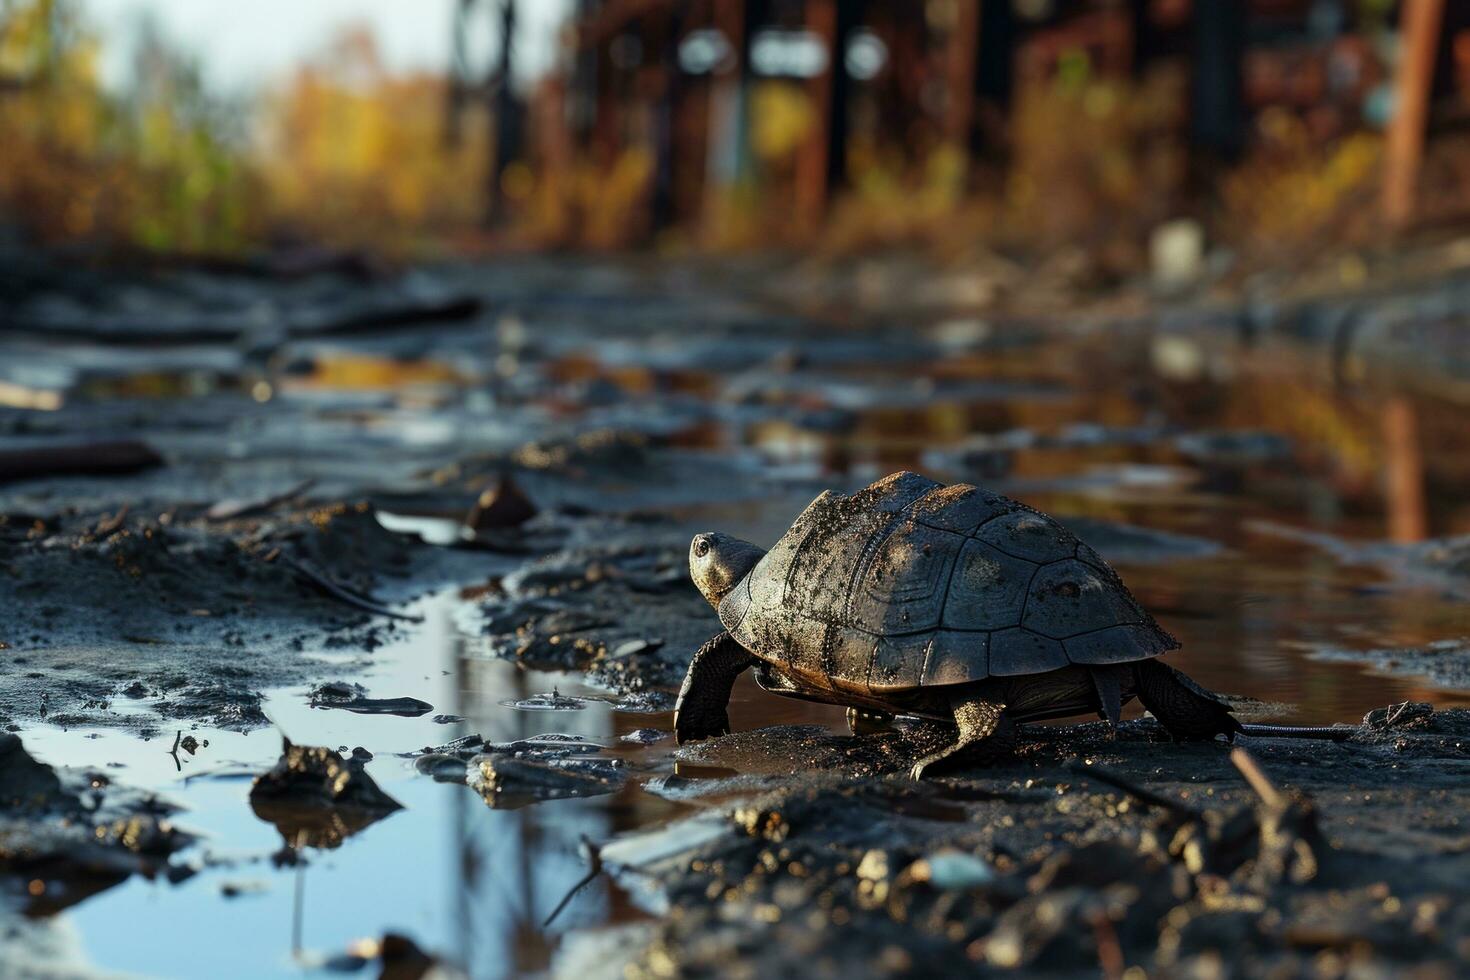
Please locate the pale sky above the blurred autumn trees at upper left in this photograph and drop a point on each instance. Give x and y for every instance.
(249, 43)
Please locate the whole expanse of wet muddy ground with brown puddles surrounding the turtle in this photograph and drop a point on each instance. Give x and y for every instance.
(314, 465)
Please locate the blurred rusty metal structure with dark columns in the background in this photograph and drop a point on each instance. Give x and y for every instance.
(680, 79)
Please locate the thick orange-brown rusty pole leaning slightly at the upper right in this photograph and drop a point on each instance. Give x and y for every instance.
(1419, 40)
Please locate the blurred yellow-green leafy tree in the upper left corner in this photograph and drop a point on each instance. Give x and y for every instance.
(159, 167)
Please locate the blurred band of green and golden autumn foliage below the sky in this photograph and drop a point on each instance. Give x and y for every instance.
(345, 152)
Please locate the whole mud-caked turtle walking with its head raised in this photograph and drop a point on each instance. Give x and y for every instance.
(943, 602)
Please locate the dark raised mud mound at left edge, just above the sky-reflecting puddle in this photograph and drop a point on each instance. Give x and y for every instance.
(140, 619)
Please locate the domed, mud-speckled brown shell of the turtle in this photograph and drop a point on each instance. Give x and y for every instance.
(911, 584)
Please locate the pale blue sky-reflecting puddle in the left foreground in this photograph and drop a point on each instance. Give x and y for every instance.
(462, 879)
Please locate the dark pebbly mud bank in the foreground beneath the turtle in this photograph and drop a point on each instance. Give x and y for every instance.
(1350, 859)
